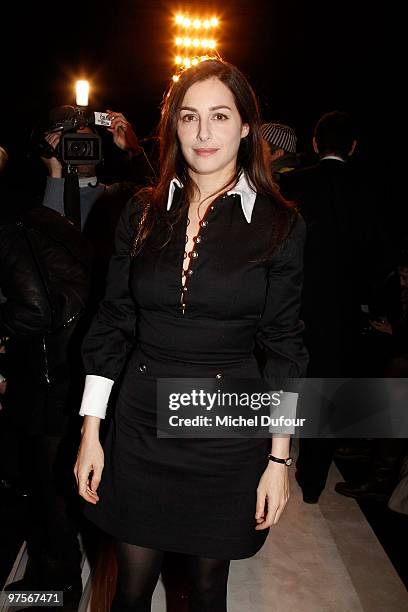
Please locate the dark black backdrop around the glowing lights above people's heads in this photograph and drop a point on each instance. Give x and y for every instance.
(303, 59)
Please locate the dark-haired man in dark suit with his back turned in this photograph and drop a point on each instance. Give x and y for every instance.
(342, 254)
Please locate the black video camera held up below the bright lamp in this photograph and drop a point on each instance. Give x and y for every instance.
(75, 147)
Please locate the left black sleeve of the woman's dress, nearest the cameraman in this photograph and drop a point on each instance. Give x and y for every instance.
(112, 331)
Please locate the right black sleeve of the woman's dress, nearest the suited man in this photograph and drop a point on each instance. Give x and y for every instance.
(280, 330)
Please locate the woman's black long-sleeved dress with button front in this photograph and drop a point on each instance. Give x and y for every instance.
(193, 496)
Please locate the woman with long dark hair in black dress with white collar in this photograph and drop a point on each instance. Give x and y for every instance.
(208, 265)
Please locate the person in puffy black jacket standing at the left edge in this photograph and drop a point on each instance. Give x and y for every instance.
(44, 279)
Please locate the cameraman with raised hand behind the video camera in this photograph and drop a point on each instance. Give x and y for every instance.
(73, 188)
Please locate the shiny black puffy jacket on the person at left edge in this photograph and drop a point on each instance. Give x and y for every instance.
(44, 280)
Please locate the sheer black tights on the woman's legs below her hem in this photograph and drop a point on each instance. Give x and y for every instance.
(138, 572)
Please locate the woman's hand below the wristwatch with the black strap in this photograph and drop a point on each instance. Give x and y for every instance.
(272, 495)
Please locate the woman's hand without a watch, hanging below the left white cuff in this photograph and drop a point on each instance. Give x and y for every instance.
(88, 467)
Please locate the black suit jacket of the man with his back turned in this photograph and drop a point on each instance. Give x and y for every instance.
(345, 252)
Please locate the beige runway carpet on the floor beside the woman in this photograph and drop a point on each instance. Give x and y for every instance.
(319, 558)
